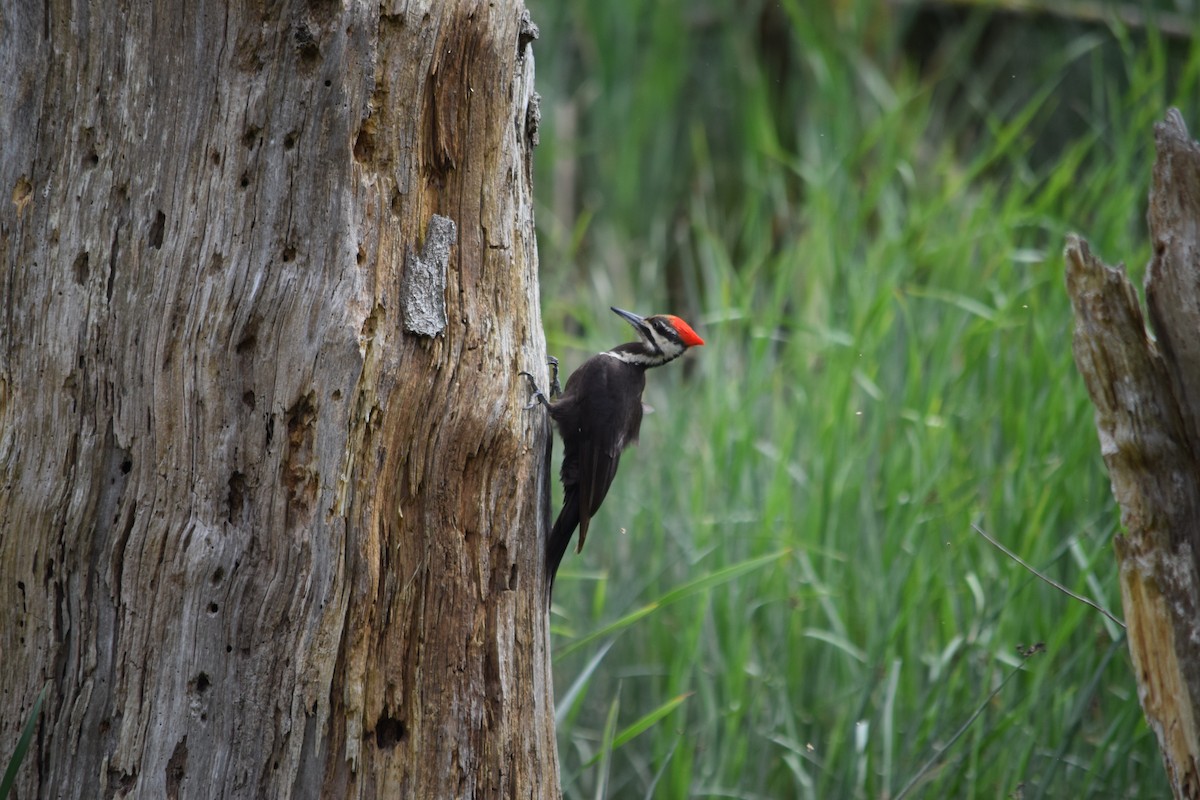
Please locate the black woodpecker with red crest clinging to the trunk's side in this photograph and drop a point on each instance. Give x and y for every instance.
(599, 416)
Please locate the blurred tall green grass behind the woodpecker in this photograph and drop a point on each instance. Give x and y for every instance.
(862, 208)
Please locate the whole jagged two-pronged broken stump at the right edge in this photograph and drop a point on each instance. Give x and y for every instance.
(1148, 406)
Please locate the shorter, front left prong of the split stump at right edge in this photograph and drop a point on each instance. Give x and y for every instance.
(1156, 482)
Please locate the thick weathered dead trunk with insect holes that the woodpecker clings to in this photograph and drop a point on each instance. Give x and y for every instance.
(269, 513)
